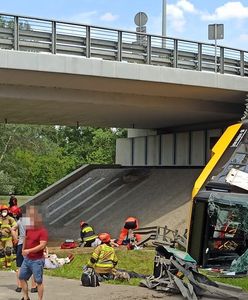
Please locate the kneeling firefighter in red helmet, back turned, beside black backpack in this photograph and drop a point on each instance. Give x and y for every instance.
(103, 260)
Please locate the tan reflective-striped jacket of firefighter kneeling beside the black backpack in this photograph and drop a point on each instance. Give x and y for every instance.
(103, 259)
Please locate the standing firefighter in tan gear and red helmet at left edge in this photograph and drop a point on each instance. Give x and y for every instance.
(7, 233)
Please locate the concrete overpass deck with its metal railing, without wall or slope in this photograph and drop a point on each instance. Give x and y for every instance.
(67, 73)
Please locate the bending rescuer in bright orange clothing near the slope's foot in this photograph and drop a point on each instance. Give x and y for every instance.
(127, 237)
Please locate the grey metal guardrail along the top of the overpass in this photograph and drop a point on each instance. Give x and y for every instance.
(57, 37)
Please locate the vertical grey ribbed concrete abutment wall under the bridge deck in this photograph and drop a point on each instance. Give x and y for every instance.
(191, 148)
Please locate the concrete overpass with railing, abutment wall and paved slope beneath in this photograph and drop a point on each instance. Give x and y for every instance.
(54, 72)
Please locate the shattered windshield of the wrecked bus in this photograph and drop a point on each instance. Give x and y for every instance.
(228, 225)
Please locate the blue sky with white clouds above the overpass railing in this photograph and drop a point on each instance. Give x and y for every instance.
(187, 19)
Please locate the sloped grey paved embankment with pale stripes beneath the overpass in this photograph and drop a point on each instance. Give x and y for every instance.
(106, 196)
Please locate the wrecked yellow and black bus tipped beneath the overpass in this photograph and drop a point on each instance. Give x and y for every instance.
(218, 231)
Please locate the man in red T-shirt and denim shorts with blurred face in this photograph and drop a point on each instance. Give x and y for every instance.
(34, 244)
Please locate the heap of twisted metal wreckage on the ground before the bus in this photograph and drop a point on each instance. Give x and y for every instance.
(175, 272)
